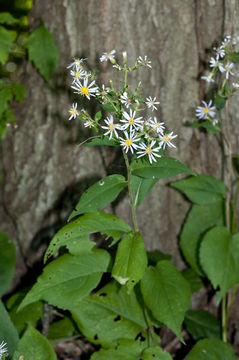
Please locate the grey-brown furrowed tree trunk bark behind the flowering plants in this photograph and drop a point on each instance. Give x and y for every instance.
(44, 172)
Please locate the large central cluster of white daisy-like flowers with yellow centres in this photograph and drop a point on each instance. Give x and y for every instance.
(126, 124)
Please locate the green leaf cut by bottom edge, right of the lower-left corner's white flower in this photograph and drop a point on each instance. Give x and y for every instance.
(34, 346)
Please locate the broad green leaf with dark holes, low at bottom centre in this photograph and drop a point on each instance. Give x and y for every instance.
(109, 315)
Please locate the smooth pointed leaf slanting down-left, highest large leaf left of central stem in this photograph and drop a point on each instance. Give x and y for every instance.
(100, 194)
